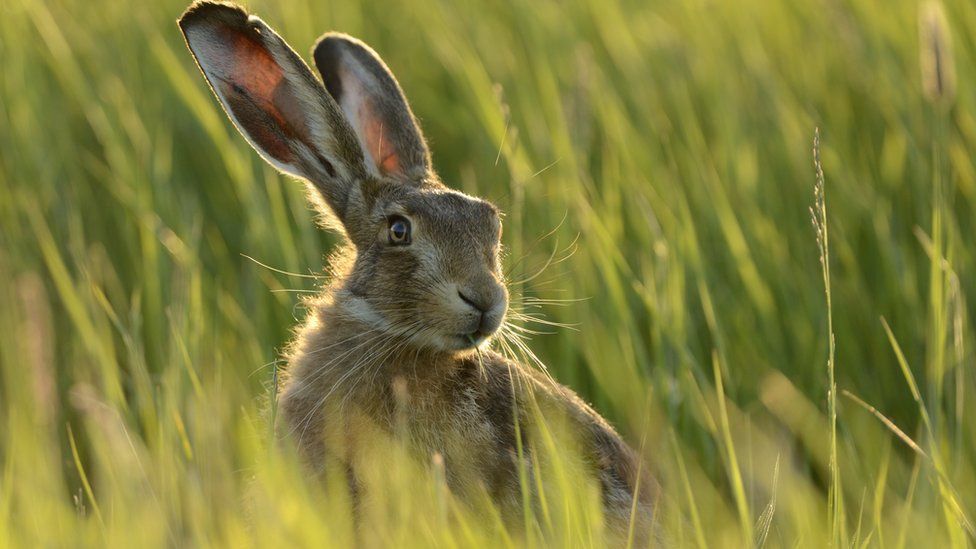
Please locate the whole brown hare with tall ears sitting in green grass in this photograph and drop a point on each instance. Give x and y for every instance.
(398, 342)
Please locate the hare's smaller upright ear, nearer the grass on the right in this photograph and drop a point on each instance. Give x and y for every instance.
(374, 104)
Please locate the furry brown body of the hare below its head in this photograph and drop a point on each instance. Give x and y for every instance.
(460, 407)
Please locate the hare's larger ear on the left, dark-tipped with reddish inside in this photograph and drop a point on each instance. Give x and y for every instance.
(274, 100)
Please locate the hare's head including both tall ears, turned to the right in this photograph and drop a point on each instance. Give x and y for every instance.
(427, 258)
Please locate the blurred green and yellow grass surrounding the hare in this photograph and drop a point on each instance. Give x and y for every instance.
(663, 147)
